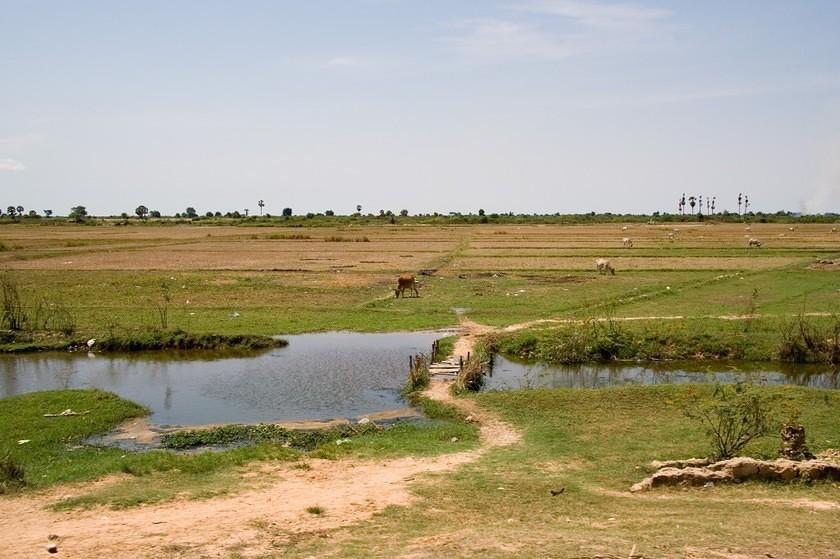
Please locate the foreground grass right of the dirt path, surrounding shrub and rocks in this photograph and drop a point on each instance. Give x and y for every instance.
(563, 491)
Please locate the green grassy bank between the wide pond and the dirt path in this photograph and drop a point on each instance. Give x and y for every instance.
(55, 451)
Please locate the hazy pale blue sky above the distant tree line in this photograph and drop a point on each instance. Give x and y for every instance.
(428, 105)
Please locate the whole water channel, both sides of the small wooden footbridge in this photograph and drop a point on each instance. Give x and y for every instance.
(330, 376)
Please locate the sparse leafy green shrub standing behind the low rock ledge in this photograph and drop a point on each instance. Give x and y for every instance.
(734, 416)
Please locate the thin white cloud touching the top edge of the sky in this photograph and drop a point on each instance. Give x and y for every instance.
(600, 15)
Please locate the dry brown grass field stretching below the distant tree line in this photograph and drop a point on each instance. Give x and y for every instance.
(399, 248)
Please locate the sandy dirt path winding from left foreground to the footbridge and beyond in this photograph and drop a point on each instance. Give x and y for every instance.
(249, 522)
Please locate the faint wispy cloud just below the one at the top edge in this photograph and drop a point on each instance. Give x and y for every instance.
(498, 39)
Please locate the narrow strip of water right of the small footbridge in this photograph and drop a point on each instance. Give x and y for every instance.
(509, 374)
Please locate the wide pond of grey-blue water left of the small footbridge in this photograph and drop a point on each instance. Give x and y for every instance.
(317, 376)
